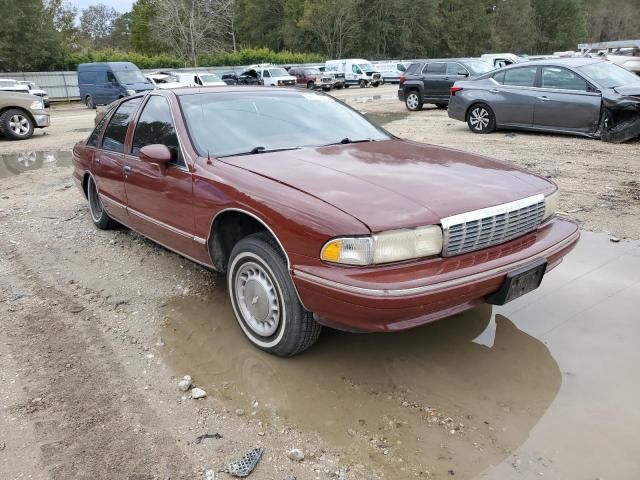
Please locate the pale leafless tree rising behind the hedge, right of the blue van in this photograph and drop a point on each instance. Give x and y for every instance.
(192, 27)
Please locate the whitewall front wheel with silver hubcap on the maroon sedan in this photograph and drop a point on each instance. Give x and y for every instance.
(264, 298)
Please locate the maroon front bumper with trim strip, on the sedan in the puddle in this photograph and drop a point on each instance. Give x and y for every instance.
(403, 296)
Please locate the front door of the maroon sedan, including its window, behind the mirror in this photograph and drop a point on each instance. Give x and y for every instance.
(159, 199)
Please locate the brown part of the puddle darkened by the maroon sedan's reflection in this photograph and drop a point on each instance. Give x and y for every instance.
(433, 399)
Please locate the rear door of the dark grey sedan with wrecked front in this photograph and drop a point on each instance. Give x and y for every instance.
(514, 97)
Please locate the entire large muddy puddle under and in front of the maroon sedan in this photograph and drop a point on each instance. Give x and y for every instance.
(546, 385)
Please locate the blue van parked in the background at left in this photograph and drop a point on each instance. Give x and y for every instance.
(104, 82)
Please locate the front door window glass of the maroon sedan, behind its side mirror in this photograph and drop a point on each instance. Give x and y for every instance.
(155, 125)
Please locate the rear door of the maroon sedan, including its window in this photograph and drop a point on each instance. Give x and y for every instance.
(109, 161)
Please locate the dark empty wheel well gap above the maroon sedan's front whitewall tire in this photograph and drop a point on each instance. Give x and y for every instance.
(227, 229)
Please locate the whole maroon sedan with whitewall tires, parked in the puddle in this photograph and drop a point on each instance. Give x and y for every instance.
(317, 216)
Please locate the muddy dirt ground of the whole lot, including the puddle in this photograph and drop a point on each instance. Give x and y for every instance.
(96, 328)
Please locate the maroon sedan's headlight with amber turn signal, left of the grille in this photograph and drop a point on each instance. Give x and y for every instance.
(385, 247)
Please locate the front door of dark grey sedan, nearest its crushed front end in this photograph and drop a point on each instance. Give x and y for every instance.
(566, 101)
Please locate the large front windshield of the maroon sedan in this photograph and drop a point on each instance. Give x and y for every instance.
(225, 125)
